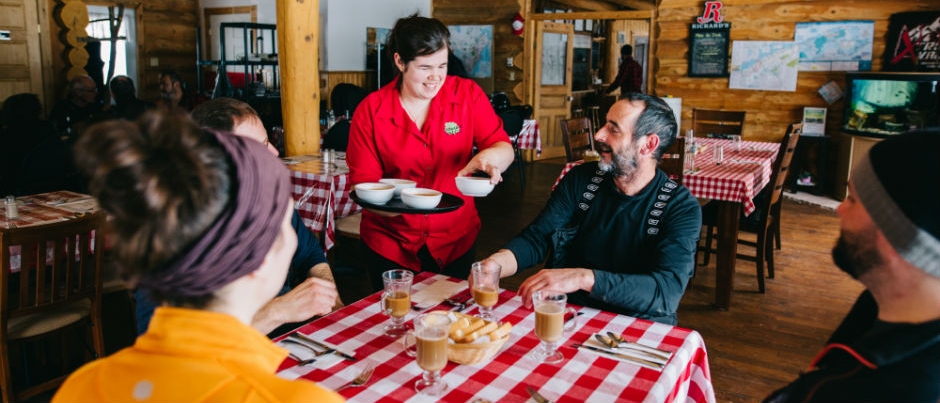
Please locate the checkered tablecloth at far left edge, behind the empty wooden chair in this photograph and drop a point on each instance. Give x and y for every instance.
(46, 208)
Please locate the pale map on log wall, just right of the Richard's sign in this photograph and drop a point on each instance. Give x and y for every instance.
(764, 65)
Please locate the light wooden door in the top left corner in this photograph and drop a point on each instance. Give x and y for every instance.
(20, 60)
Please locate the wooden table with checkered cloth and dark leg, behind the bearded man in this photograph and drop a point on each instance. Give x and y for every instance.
(732, 185)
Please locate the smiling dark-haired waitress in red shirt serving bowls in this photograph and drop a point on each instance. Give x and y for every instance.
(423, 126)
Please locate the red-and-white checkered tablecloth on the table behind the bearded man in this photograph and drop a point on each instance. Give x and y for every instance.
(739, 178)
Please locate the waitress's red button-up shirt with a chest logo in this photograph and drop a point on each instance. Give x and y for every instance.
(385, 143)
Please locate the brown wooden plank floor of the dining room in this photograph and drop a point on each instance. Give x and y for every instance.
(764, 340)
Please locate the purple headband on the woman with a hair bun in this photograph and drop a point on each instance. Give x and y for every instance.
(242, 234)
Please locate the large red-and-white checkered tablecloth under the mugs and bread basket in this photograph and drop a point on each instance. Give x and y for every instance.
(582, 377)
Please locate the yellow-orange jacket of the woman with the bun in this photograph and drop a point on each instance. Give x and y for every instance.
(192, 356)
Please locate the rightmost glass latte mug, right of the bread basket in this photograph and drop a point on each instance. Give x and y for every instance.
(550, 325)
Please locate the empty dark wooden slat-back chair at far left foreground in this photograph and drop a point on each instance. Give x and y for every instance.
(57, 288)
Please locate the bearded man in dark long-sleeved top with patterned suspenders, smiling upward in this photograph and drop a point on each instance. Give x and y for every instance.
(615, 262)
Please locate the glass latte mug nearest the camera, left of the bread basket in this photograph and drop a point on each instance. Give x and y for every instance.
(428, 344)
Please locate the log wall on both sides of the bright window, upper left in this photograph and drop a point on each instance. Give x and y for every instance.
(166, 31)
